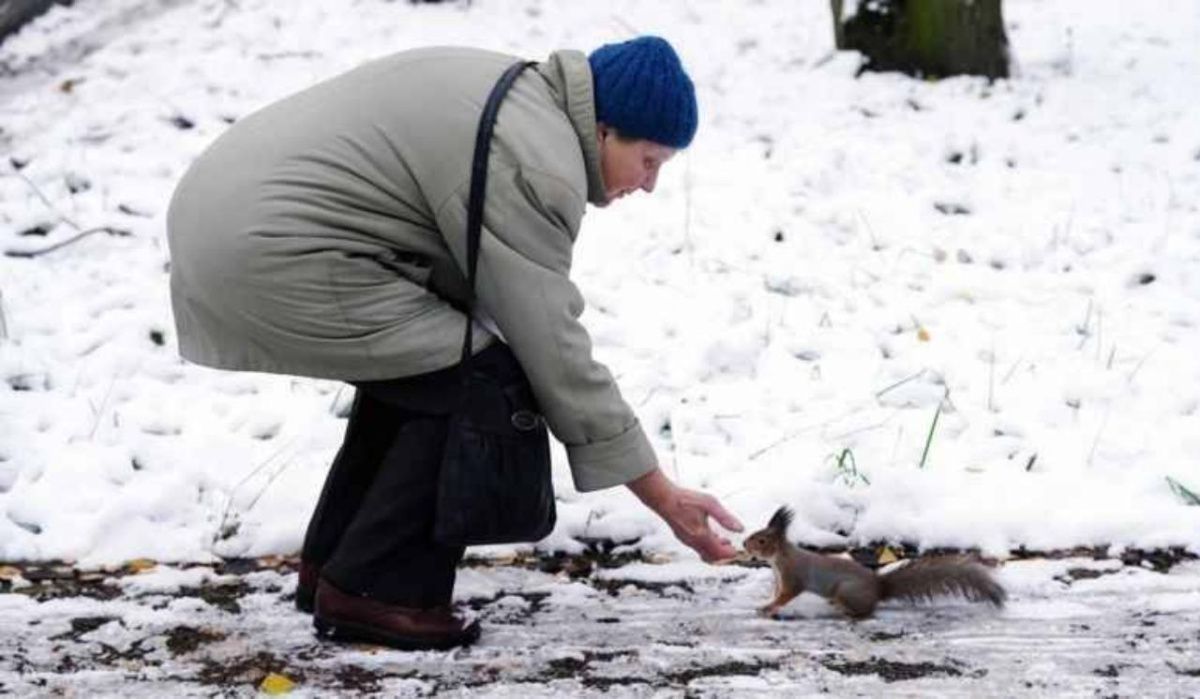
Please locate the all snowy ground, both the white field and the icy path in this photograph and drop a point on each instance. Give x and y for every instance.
(833, 264)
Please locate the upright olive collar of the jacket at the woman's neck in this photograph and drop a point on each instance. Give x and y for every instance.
(571, 76)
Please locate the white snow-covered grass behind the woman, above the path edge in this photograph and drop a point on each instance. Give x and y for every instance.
(800, 285)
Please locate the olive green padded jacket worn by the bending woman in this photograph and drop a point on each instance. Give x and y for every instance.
(326, 236)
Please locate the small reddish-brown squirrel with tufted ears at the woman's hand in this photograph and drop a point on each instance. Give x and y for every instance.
(854, 588)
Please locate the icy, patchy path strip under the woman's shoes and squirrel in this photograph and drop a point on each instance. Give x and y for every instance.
(1075, 628)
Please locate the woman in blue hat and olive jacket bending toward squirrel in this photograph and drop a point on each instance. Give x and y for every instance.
(325, 237)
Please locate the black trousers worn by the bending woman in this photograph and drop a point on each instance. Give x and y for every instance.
(371, 533)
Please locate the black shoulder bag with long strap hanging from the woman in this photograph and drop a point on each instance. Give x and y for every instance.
(495, 485)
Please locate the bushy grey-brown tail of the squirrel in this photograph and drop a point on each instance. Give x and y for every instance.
(928, 578)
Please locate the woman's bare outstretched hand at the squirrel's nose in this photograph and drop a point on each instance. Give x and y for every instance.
(687, 512)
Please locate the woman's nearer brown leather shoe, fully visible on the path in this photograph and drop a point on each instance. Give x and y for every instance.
(344, 617)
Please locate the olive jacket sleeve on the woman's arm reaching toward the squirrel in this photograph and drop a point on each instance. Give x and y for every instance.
(530, 225)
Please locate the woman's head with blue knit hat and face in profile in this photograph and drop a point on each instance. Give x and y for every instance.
(646, 111)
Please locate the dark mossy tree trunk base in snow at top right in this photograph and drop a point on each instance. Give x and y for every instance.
(927, 38)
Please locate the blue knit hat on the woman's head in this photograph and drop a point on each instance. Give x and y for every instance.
(643, 91)
